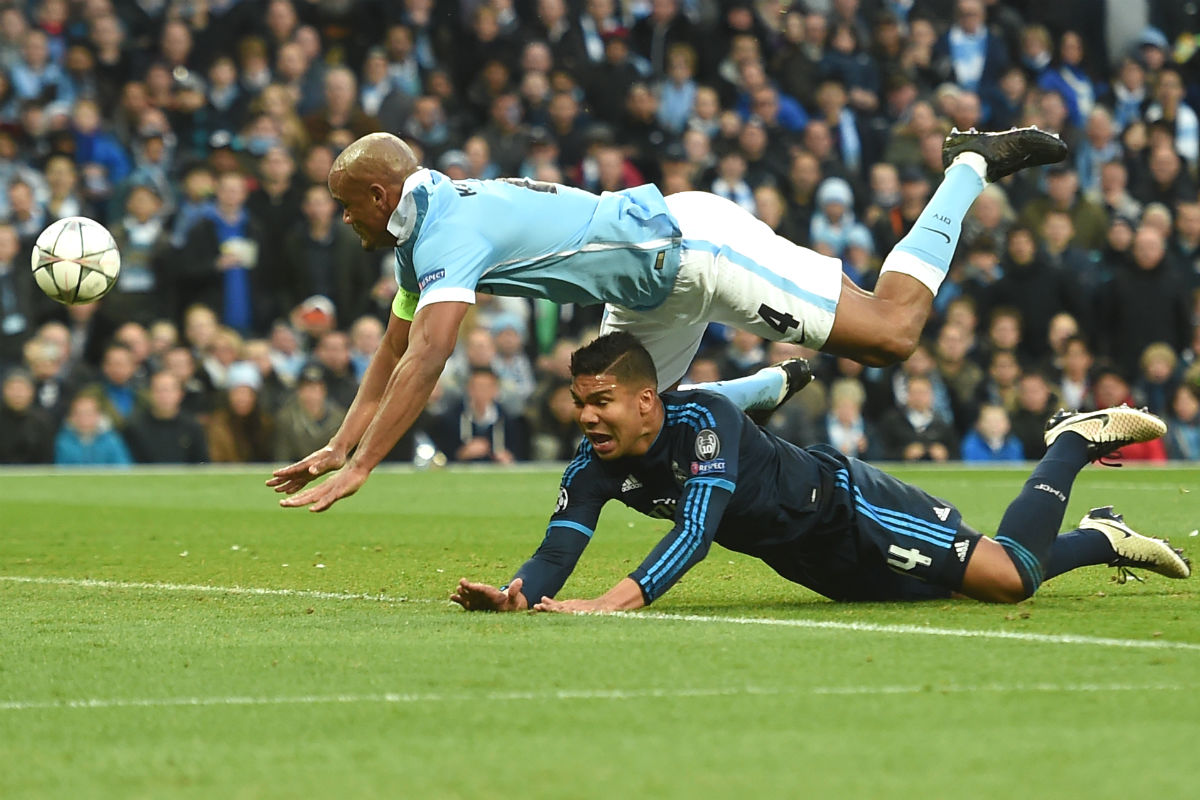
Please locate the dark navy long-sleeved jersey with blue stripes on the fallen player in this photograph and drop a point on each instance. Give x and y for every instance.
(712, 471)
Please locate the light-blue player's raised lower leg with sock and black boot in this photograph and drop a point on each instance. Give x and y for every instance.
(884, 327)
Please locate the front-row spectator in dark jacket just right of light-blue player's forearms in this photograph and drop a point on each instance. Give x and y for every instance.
(477, 429)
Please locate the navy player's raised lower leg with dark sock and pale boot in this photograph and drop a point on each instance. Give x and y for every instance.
(1031, 524)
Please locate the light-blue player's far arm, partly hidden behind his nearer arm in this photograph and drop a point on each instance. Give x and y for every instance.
(293, 478)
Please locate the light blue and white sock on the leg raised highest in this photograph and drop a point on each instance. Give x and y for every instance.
(926, 251)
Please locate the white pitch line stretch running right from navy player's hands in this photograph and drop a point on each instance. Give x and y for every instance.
(919, 630)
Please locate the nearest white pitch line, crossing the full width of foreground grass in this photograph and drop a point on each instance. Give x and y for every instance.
(571, 695)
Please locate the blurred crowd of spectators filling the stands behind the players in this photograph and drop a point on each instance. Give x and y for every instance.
(201, 133)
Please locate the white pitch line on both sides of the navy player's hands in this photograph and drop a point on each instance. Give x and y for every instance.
(863, 628)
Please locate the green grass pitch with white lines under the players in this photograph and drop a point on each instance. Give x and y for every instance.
(179, 636)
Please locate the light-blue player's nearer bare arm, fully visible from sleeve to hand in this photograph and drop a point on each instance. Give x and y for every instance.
(431, 341)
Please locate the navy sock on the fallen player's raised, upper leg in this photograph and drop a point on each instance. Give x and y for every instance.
(1030, 526)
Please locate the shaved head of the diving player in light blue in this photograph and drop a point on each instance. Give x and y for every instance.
(369, 179)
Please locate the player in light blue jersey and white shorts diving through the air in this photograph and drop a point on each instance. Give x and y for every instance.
(664, 267)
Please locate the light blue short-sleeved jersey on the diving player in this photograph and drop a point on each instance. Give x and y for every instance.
(530, 239)
